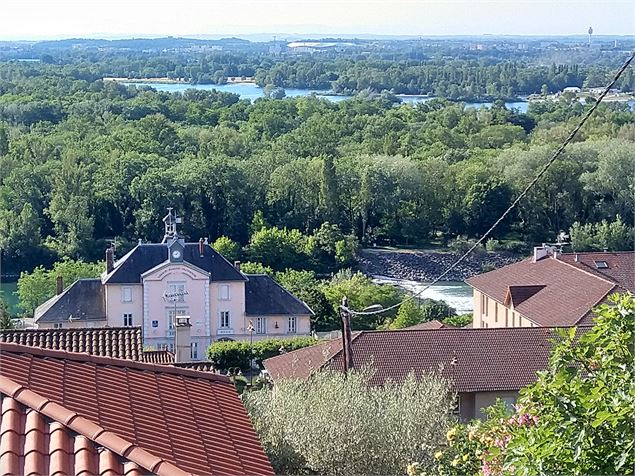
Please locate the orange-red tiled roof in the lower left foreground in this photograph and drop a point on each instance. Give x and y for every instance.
(59, 410)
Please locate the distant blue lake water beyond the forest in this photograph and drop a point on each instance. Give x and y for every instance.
(252, 91)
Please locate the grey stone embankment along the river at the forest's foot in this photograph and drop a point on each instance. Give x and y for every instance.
(427, 265)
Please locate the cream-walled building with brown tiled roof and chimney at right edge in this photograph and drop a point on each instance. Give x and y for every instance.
(550, 288)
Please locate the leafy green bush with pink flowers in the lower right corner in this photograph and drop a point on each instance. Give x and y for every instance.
(576, 419)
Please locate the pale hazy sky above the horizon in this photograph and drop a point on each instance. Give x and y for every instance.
(29, 19)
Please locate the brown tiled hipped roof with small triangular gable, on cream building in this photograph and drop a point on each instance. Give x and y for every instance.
(548, 292)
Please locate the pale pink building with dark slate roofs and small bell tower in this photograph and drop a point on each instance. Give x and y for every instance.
(155, 283)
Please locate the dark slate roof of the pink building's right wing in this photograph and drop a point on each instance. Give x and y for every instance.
(263, 297)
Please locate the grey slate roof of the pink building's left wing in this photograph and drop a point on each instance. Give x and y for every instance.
(84, 300)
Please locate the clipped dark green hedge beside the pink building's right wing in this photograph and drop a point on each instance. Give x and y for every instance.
(236, 354)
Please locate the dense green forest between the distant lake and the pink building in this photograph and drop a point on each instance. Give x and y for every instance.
(84, 162)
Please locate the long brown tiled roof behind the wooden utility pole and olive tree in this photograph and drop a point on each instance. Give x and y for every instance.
(475, 360)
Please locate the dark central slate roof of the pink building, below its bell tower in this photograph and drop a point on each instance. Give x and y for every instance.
(143, 257)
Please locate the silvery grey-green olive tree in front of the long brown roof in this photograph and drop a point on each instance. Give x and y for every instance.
(332, 423)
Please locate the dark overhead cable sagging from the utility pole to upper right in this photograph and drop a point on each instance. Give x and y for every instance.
(529, 186)
